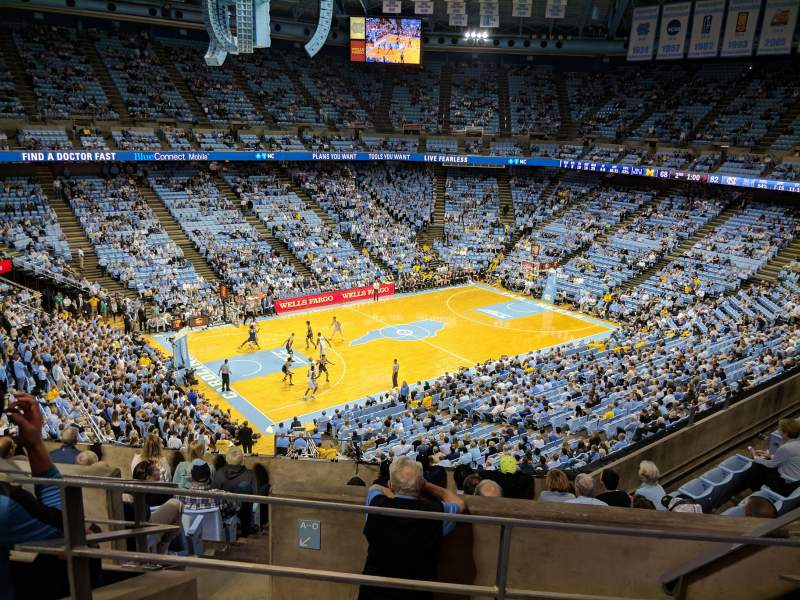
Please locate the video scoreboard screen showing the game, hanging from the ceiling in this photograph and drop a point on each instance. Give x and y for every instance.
(386, 40)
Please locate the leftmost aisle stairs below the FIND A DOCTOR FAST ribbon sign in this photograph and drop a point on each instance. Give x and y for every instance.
(76, 238)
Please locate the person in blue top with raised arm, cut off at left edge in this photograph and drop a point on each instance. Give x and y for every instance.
(23, 516)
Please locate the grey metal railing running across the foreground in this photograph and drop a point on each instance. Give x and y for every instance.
(75, 549)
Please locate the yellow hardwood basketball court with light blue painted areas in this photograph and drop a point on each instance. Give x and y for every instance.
(430, 333)
